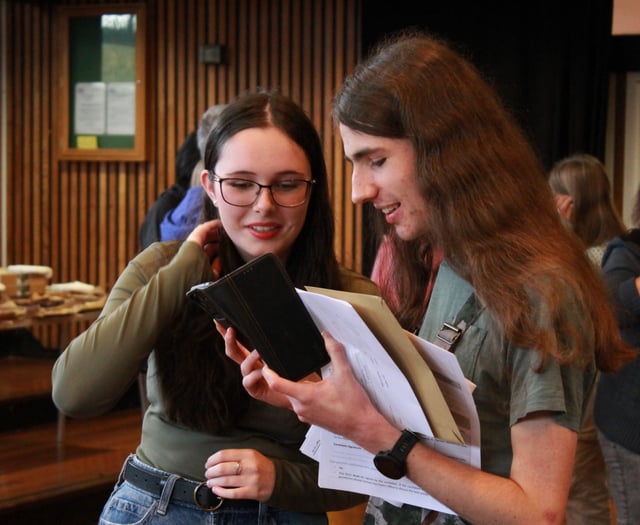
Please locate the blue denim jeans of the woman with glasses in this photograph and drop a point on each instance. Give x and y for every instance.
(130, 505)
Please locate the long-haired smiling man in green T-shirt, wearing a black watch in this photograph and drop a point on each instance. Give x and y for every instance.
(453, 177)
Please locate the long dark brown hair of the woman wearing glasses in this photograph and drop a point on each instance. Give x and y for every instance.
(201, 387)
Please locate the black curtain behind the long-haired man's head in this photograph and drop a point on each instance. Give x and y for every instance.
(548, 60)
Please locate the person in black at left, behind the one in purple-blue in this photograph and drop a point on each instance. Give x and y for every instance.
(186, 160)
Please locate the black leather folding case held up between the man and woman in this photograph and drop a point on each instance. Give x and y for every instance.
(261, 303)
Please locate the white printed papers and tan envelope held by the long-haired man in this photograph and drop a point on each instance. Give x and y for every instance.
(346, 466)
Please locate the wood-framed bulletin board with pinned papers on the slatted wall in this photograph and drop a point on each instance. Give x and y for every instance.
(101, 82)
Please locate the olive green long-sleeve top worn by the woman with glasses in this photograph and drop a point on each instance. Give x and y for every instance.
(100, 364)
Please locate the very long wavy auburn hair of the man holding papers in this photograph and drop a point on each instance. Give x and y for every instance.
(491, 210)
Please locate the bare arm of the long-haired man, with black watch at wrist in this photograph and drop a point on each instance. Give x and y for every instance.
(535, 492)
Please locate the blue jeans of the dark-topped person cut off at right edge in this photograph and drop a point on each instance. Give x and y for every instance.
(623, 470)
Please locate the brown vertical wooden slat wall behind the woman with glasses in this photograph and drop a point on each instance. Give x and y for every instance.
(82, 218)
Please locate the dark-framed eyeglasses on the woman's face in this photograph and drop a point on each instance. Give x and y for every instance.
(288, 193)
